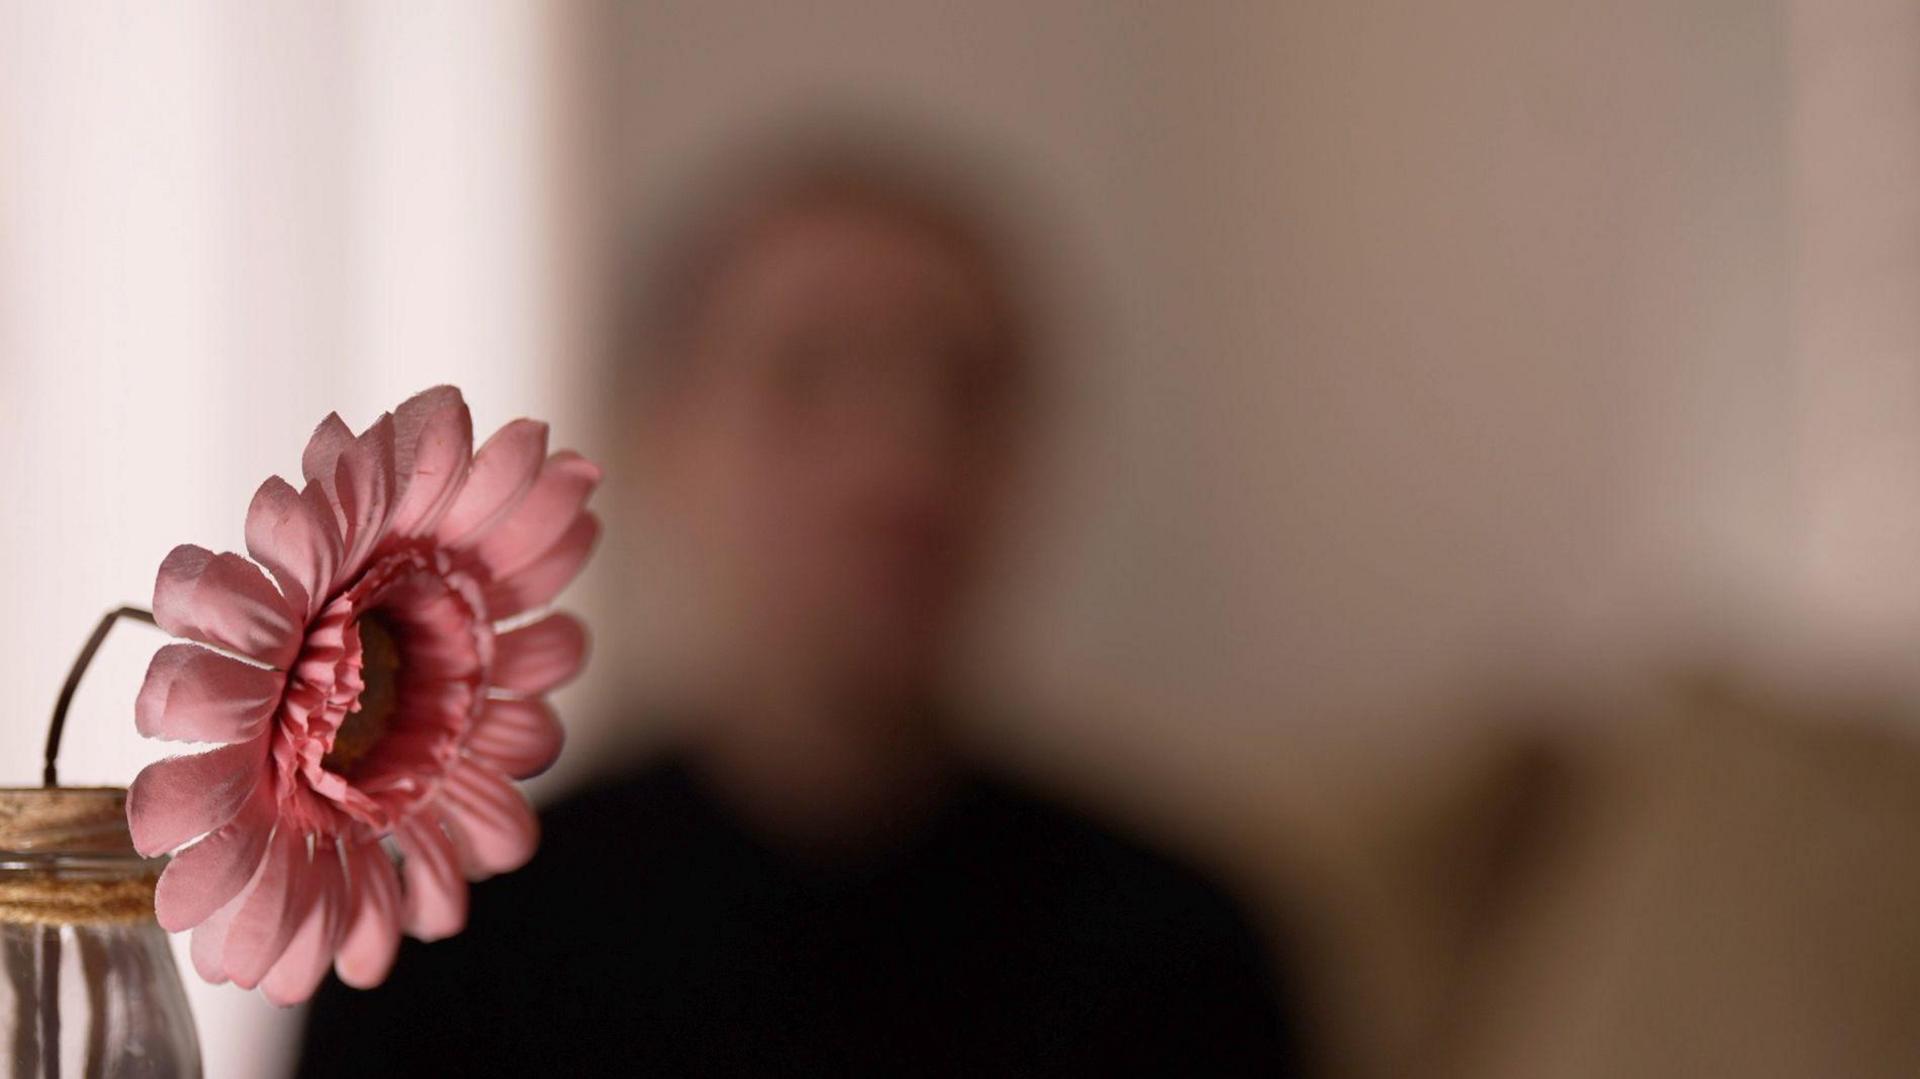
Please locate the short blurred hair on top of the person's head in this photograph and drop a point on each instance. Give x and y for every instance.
(817, 164)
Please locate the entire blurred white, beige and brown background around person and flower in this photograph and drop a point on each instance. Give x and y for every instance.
(1437, 379)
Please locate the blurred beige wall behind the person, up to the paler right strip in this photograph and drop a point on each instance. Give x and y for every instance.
(1433, 343)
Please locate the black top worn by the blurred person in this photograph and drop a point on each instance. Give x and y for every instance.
(658, 936)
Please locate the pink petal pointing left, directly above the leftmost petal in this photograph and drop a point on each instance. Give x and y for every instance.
(193, 694)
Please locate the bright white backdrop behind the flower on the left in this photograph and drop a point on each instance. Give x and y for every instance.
(218, 222)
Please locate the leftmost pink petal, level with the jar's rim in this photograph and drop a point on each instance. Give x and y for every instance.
(181, 798)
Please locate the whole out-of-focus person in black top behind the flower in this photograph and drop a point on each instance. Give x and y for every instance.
(828, 404)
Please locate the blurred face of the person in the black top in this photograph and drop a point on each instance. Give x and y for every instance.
(842, 439)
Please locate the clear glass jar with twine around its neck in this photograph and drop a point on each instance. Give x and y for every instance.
(87, 980)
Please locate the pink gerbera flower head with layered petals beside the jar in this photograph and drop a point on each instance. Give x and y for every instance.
(383, 686)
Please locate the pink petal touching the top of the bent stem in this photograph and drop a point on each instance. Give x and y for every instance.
(224, 600)
